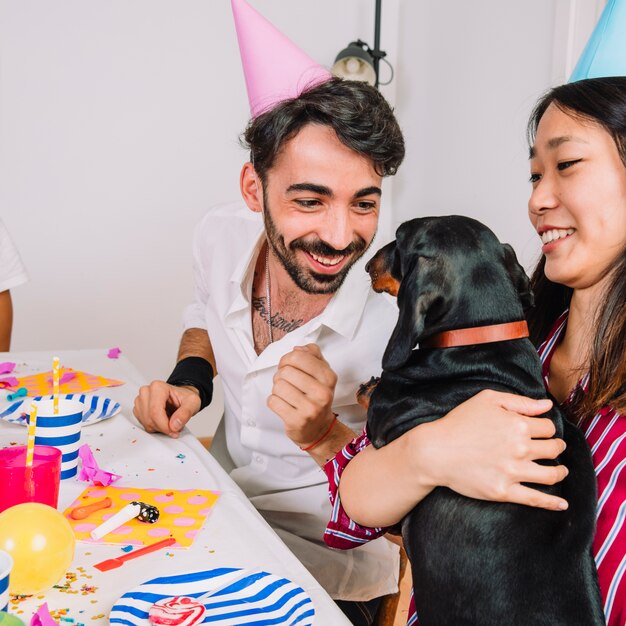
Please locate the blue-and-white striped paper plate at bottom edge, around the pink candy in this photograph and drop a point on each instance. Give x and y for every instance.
(260, 598)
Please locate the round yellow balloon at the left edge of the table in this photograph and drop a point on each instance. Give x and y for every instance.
(41, 542)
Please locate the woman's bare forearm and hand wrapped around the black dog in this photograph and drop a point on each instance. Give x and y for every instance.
(484, 448)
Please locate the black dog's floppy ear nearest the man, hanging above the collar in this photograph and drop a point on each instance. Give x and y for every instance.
(413, 305)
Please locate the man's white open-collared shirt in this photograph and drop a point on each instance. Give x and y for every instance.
(287, 487)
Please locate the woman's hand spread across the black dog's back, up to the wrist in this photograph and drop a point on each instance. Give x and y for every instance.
(487, 446)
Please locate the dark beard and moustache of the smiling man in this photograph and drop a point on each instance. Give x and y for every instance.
(308, 280)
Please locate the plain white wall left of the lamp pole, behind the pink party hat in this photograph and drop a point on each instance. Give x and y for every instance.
(119, 126)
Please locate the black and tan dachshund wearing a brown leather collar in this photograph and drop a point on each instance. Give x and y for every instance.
(476, 562)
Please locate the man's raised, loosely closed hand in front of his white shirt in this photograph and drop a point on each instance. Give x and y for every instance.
(302, 394)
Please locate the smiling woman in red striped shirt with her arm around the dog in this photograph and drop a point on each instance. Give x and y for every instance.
(486, 448)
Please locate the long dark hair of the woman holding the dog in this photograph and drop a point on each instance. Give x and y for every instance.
(600, 101)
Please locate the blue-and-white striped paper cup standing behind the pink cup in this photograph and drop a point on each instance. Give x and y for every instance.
(61, 431)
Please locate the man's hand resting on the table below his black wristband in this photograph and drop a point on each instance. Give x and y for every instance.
(163, 408)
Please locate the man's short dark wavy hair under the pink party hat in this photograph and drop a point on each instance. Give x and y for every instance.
(360, 116)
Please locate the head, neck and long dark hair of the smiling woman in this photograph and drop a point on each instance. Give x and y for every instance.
(578, 207)
